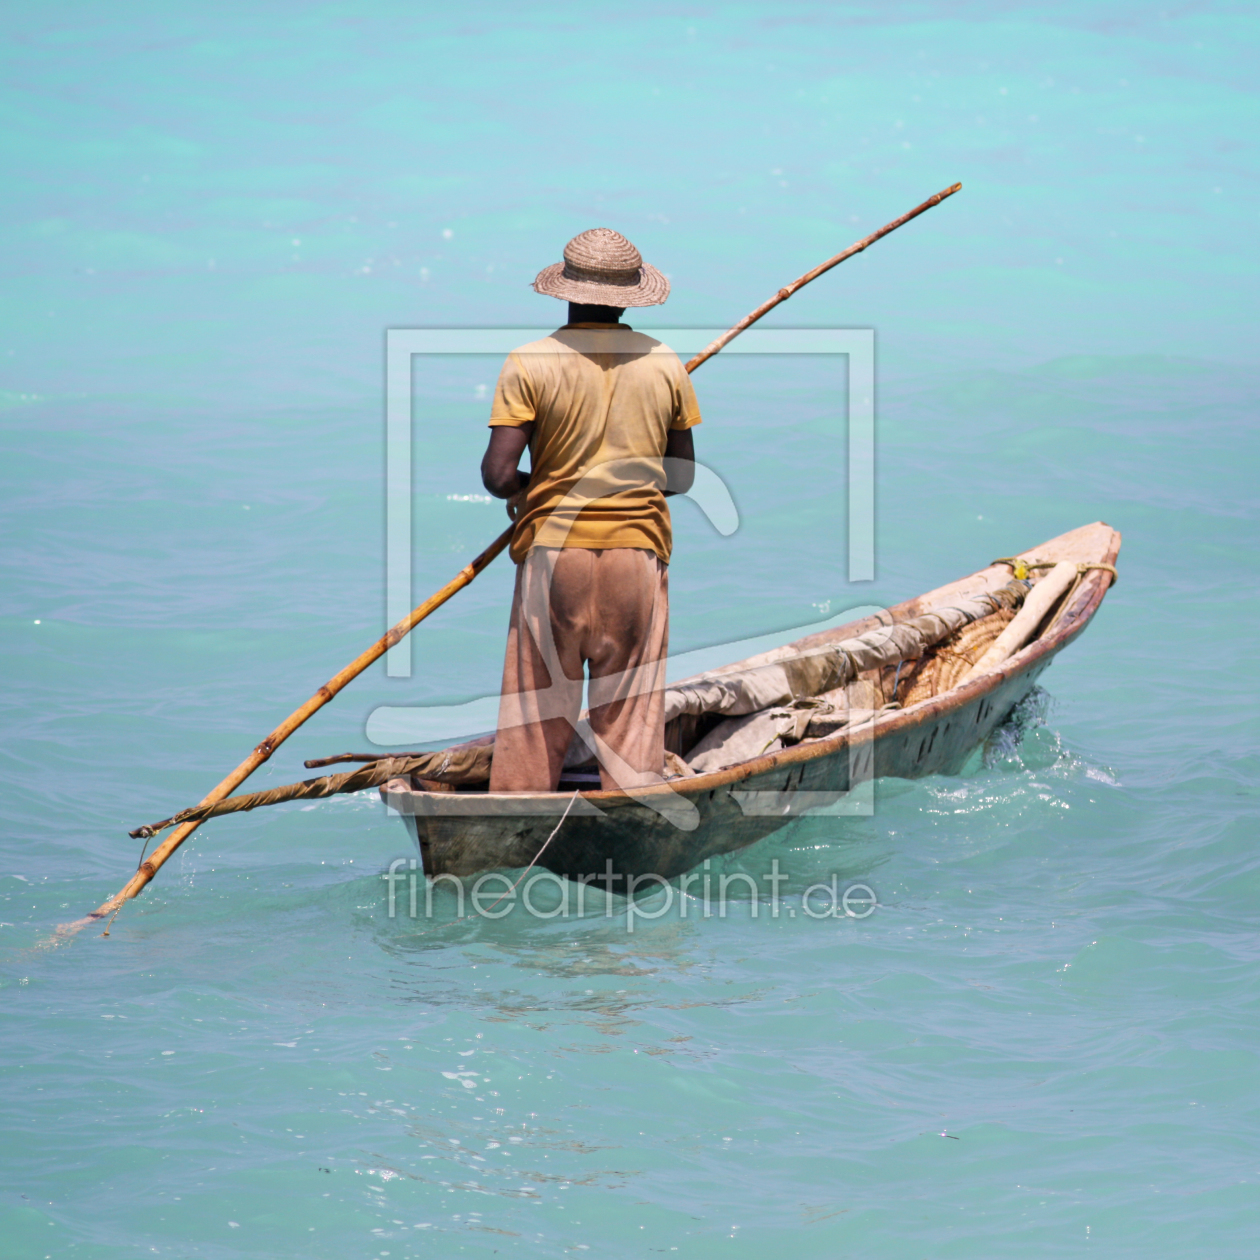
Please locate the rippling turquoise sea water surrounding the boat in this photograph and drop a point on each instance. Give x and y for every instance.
(1041, 1043)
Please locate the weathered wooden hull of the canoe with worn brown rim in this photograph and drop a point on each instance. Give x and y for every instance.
(666, 831)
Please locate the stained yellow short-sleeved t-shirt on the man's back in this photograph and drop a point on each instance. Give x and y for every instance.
(603, 400)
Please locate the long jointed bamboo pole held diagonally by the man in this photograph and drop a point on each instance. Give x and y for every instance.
(151, 866)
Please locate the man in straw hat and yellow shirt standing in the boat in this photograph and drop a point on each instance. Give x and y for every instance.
(607, 414)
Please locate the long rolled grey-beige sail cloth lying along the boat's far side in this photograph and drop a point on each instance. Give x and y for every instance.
(823, 670)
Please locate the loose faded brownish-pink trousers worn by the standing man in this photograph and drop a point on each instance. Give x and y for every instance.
(607, 610)
